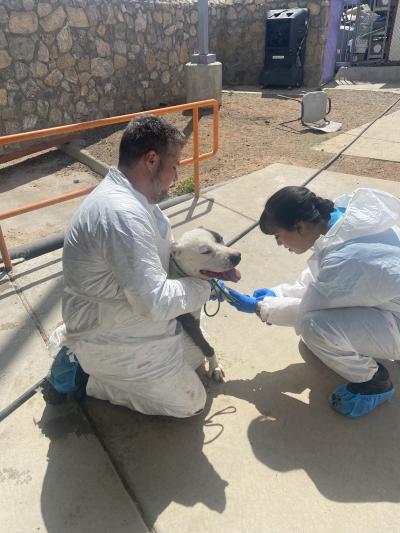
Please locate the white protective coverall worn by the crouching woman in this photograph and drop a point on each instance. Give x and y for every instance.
(346, 304)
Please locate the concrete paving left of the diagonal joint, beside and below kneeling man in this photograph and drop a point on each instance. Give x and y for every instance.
(55, 475)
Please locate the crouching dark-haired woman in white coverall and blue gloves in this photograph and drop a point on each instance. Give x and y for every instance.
(346, 304)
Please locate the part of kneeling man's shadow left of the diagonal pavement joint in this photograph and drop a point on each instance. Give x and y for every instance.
(80, 491)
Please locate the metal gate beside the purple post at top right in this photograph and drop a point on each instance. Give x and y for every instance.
(364, 32)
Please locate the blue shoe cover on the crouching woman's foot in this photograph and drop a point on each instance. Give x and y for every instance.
(355, 405)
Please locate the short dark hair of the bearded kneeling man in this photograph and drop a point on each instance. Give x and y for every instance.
(146, 133)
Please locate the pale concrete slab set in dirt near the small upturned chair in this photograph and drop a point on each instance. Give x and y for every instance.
(380, 141)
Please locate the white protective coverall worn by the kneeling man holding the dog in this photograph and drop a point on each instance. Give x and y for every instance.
(119, 308)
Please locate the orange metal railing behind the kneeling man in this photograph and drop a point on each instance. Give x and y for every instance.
(82, 126)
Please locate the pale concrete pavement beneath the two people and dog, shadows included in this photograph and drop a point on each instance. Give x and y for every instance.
(268, 453)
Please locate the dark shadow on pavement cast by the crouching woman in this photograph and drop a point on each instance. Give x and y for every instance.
(349, 460)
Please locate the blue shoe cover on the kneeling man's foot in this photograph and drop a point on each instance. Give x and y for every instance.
(63, 372)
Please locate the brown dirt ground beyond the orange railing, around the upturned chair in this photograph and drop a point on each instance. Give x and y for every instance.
(253, 135)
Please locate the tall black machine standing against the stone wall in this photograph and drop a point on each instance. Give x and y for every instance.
(286, 32)
